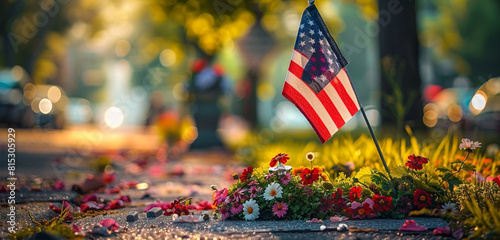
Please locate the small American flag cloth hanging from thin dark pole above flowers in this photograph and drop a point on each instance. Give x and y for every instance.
(317, 82)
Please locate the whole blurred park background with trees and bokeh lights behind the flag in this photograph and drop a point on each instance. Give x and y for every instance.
(82, 76)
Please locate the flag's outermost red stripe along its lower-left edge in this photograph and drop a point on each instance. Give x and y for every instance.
(307, 110)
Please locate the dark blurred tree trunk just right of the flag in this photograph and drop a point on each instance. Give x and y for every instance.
(399, 53)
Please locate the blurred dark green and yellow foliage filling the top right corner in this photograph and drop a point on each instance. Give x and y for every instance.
(466, 32)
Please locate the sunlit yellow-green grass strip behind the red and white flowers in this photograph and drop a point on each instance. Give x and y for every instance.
(346, 154)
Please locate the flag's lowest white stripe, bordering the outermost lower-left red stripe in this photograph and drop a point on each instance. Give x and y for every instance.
(311, 98)
